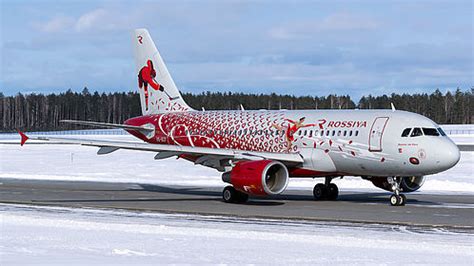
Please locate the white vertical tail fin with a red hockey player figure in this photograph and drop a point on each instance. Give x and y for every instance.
(158, 93)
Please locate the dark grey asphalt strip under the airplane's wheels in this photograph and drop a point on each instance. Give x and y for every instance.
(424, 210)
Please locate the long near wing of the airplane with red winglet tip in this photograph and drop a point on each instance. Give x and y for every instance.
(211, 157)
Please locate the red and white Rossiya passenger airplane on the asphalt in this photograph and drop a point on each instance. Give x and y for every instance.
(258, 151)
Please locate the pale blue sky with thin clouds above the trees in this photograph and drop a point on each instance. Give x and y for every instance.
(287, 47)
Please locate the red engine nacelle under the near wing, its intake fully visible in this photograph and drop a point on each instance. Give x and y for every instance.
(263, 177)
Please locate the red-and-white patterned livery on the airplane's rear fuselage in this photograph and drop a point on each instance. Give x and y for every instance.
(216, 130)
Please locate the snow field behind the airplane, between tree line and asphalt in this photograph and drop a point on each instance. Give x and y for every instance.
(79, 163)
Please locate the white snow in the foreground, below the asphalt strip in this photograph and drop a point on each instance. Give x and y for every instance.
(55, 235)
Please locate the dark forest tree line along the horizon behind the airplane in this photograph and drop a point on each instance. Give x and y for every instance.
(38, 112)
